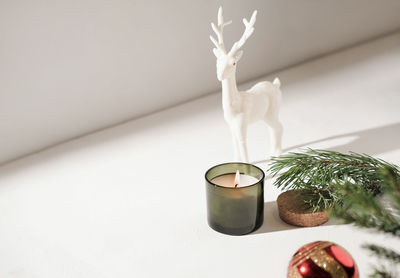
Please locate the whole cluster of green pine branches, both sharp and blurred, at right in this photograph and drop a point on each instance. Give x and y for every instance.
(356, 188)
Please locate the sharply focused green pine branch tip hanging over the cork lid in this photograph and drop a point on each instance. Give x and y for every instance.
(314, 171)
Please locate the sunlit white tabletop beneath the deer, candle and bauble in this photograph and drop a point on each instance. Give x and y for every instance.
(130, 201)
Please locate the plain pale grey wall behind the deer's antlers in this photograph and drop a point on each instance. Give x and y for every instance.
(70, 67)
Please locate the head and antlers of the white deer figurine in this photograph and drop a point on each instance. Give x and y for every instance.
(226, 62)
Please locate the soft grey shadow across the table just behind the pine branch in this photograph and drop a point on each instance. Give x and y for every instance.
(370, 141)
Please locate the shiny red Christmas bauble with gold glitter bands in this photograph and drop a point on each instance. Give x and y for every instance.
(322, 259)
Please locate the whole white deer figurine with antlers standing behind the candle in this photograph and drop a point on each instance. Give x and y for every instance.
(241, 108)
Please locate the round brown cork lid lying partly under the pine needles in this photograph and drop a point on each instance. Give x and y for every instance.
(293, 211)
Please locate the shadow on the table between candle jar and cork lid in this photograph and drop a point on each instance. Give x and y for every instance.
(273, 223)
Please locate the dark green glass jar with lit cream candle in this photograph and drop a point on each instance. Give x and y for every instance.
(235, 198)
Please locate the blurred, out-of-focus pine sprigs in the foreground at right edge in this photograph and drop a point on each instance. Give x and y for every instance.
(366, 211)
